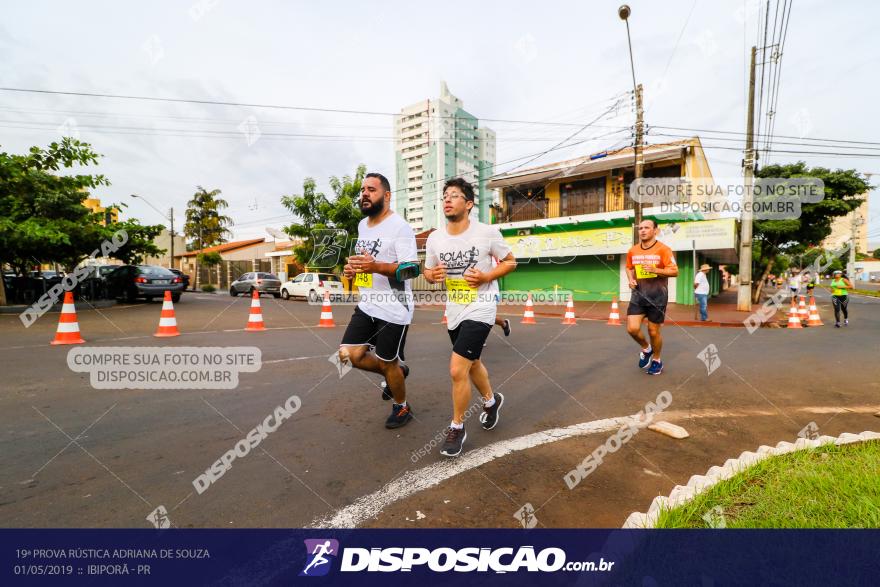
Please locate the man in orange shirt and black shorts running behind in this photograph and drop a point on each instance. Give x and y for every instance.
(649, 264)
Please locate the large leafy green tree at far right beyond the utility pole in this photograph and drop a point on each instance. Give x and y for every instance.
(795, 236)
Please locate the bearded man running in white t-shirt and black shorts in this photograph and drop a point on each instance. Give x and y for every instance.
(385, 310)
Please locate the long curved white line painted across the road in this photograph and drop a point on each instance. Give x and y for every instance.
(412, 482)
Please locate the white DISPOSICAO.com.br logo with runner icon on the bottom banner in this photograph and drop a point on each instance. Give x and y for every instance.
(442, 560)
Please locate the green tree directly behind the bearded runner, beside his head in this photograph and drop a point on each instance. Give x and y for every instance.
(321, 221)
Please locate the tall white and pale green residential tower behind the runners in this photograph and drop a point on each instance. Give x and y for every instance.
(435, 140)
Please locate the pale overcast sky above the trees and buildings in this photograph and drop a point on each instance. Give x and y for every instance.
(525, 61)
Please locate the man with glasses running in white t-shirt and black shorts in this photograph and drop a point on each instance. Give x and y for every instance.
(460, 255)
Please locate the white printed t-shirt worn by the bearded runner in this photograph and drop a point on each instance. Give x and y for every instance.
(390, 241)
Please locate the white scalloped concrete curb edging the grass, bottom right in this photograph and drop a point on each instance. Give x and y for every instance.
(697, 484)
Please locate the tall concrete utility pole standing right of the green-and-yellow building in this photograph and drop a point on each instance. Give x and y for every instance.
(744, 294)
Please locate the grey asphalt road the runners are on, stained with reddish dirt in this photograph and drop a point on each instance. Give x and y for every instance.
(75, 456)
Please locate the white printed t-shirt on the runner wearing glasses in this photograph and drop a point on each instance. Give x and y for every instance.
(475, 247)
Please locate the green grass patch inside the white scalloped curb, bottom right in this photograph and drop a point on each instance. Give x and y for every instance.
(828, 487)
